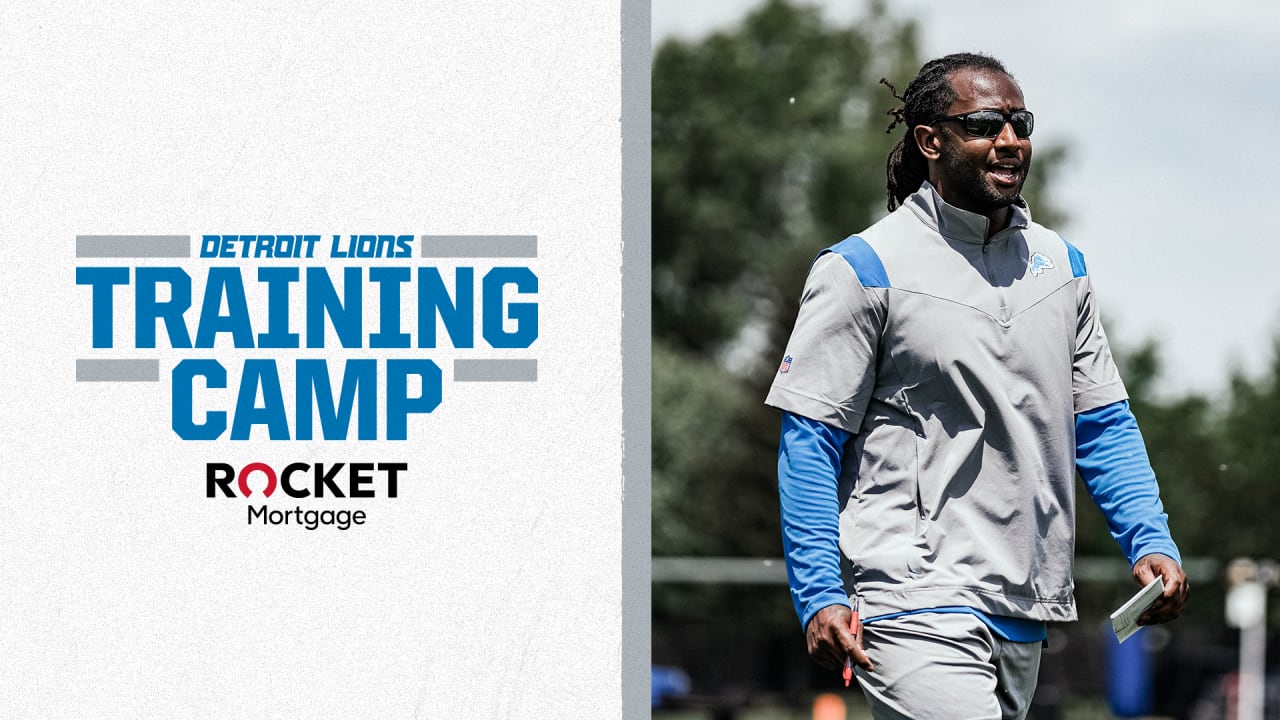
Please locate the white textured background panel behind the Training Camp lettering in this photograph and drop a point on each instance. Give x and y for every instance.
(490, 589)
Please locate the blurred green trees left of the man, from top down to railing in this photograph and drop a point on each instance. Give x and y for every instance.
(769, 144)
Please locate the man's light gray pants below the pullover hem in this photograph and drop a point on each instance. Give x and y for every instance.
(947, 667)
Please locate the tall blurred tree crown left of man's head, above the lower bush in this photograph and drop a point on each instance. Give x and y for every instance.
(769, 143)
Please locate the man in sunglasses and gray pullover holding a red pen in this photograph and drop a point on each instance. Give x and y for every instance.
(947, 377)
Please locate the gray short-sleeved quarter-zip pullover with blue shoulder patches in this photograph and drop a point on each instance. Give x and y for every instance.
(959, 364)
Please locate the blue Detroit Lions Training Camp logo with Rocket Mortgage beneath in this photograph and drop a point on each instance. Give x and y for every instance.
(307, 338)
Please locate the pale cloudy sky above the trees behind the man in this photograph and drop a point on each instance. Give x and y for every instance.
(1172, 115)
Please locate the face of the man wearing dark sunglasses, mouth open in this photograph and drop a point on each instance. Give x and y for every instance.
(982, 175)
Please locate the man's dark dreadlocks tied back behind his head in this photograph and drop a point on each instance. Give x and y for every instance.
(926, 99)
